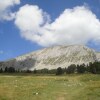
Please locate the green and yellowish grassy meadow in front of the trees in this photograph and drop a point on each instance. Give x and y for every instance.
(69, 87)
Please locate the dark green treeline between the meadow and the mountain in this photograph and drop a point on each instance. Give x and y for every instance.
(90, 68)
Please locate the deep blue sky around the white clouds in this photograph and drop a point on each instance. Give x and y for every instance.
(12, 44)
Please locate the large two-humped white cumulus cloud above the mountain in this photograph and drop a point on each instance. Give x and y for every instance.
(74, 26)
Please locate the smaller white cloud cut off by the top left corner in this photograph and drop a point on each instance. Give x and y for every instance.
(5, 12)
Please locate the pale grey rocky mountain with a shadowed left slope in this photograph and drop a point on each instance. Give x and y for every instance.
(54, 57)
